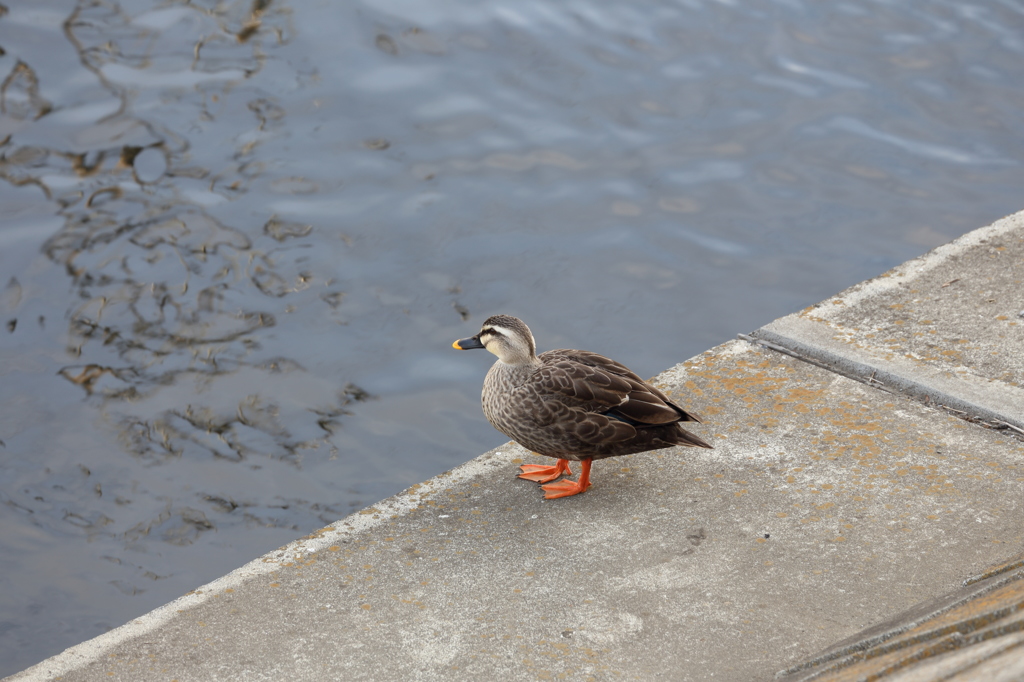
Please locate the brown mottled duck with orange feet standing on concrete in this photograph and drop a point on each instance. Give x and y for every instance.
(574, 406)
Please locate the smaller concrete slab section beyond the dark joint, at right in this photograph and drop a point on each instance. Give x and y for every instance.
(947, 327)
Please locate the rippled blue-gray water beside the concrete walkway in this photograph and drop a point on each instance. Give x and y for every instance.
(239, 238)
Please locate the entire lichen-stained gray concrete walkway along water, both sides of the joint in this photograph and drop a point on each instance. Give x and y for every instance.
(830, 504)
